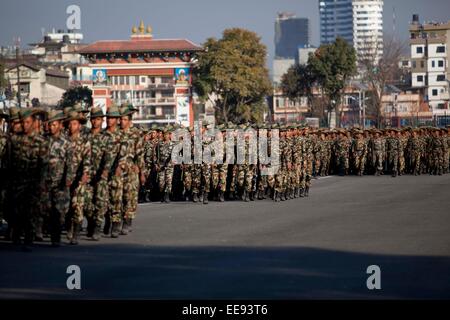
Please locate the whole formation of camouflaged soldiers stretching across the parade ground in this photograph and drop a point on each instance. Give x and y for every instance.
(57, 172)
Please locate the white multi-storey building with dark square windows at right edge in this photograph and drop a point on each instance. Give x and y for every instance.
(430, 43)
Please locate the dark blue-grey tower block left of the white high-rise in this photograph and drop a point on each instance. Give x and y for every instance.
(290, 34)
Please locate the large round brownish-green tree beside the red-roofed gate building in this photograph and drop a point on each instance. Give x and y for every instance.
(232, 73)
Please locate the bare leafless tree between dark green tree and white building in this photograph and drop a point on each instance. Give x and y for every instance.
(377, 71)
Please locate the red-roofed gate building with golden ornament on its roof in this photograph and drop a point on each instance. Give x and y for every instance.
(152, 74)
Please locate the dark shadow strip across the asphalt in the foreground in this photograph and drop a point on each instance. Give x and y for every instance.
(126, 271)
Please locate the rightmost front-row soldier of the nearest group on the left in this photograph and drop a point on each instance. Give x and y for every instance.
(132, 166)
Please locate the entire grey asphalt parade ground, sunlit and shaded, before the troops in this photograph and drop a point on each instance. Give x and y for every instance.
(307, 248)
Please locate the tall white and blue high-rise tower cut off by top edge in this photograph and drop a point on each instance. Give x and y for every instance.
(359, 22)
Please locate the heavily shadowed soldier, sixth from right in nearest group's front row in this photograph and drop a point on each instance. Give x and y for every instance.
(28, 153)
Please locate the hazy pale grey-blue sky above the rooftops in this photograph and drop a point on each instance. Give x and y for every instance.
(195, 20)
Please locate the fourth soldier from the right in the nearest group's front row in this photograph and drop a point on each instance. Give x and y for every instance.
(80, 161)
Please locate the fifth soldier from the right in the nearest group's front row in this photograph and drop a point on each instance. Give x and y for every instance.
(56, 177)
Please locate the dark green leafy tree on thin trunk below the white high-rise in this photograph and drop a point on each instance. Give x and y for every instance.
(333, 65)
